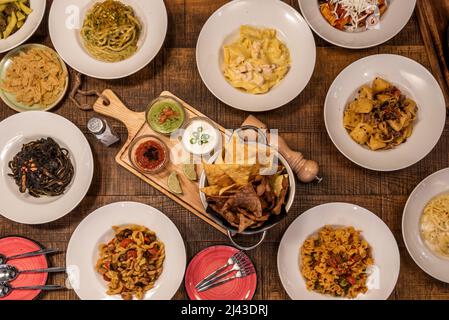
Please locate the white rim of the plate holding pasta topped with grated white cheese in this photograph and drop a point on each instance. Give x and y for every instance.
(317, 22)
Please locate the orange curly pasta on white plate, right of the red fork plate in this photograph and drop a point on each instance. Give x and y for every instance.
(335, 262)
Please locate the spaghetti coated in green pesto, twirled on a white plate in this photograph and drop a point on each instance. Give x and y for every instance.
(111, 31)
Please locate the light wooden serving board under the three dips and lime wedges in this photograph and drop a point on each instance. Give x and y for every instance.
(137, 126)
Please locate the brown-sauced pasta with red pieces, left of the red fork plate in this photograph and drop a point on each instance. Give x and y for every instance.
(131, 262)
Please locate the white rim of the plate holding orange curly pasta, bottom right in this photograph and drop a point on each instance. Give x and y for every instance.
(330, 211)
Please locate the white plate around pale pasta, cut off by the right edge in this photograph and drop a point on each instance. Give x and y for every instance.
(430, 187)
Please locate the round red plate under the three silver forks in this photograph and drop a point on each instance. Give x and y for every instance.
(207, 261)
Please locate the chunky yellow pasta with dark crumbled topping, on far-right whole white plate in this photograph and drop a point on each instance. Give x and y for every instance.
(381, 117)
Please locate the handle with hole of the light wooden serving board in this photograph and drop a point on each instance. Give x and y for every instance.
(117, 110)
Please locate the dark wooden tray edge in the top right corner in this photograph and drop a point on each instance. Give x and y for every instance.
(433, 17)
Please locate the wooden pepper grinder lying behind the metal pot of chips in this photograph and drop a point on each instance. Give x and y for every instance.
(306, 170)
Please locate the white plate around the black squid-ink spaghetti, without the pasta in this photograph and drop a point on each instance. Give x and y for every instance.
(22, 128)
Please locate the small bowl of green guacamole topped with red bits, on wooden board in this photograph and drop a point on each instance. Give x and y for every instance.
(165, 115)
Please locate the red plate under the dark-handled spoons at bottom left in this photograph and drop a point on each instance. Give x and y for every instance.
(10, 246)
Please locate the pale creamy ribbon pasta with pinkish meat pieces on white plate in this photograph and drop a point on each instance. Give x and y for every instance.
(257, 61)
